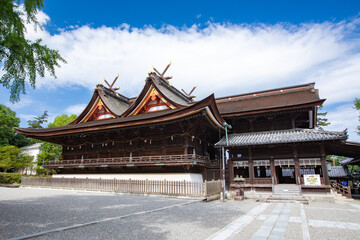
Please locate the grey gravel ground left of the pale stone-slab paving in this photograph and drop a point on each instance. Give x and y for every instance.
(31, 210)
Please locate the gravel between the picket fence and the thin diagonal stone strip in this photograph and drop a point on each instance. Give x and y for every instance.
(60, 208)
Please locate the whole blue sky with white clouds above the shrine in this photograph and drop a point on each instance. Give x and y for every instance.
(223, 47)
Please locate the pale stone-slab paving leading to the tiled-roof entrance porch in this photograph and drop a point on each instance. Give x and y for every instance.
(318, 220)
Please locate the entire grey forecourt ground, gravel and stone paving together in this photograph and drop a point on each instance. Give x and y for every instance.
(70, 214)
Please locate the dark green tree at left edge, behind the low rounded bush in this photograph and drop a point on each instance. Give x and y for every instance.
(8, 136)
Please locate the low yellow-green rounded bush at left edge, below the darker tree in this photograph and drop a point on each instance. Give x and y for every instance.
(10, 158)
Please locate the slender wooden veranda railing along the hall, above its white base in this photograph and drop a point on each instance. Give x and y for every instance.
(130, 161)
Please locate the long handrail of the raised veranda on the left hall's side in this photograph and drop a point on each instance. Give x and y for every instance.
(161, 159)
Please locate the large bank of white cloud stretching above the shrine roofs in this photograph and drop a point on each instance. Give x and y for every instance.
(224, 59)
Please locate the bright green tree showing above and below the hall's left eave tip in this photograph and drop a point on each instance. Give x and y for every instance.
(51, 151)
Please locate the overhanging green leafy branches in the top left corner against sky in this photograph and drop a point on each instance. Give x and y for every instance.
(22, 59)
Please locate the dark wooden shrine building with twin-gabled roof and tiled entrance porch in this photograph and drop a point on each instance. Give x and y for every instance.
(165, 134)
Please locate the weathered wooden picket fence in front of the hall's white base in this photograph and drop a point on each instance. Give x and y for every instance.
(183, 188)
